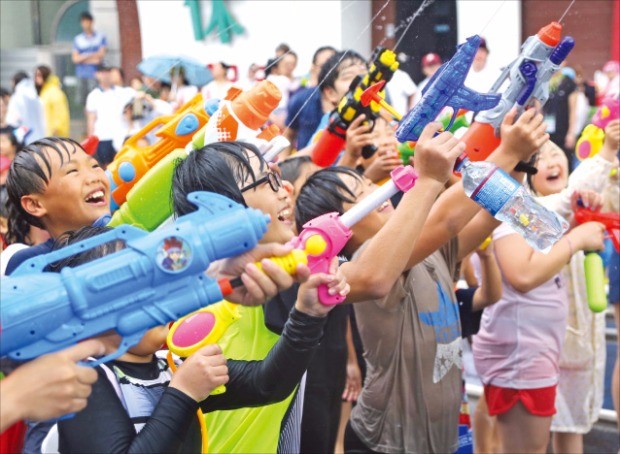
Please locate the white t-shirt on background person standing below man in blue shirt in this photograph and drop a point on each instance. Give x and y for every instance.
(108, 105)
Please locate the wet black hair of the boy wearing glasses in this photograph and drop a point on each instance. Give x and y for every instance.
(220, 167)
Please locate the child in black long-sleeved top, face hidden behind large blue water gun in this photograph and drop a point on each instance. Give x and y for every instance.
(137, 405)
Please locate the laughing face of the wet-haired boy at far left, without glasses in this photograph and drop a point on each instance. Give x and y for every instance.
(76, 195)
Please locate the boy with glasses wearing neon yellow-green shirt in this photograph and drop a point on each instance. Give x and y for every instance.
(238, 171)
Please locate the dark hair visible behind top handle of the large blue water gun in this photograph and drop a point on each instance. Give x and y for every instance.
(72, 237)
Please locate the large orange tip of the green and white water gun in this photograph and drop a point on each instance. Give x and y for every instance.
(254, 106)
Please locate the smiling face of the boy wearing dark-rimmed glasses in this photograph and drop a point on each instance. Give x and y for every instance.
(276, 204)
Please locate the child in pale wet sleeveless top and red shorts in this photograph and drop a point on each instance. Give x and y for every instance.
(517, 350)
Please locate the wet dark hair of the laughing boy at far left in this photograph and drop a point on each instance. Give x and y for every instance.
(30, 173)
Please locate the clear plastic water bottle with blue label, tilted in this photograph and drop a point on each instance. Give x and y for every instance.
(509, 202)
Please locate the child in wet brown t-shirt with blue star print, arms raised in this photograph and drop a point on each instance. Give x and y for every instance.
(402, 268)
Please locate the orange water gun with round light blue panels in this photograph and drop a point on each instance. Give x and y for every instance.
(132, 162)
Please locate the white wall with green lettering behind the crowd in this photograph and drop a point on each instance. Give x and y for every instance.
(304, 25)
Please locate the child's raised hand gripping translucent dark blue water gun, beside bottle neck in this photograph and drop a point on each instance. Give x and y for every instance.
(435, 156)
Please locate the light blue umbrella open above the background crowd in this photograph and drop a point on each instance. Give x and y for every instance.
(160, 68)
